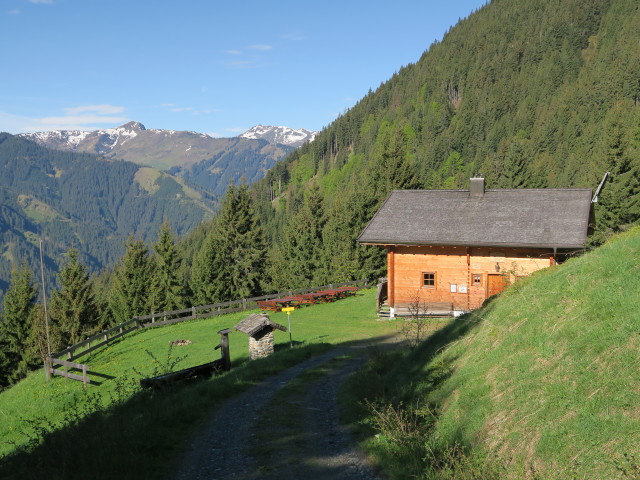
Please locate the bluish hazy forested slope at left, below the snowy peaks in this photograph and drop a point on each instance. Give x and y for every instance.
(79, 200)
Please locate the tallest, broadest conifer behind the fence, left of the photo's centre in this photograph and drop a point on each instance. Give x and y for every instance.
(231, 262)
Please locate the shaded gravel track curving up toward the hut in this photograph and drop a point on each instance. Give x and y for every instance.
(325, 451)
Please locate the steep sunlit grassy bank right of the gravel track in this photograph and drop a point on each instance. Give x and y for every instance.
(542, 382)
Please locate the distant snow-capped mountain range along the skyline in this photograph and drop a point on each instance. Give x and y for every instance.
(198, 158)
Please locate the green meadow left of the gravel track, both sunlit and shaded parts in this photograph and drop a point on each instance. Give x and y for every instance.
(113, 430)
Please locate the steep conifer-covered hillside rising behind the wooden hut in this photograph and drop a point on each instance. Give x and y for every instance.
(526, 93)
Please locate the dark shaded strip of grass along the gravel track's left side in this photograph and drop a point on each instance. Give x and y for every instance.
(139, 432)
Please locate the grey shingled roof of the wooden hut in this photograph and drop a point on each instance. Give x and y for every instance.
(504, 218)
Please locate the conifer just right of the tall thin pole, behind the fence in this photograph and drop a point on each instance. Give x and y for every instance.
(74, 310)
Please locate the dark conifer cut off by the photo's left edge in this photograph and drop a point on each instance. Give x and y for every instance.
(15, 330)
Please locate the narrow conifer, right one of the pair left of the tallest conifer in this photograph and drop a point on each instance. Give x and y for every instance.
(167, 290)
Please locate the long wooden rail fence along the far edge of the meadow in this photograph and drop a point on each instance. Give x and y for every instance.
(166, 318)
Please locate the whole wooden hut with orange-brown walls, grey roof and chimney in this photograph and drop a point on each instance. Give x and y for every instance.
(453, 249)
